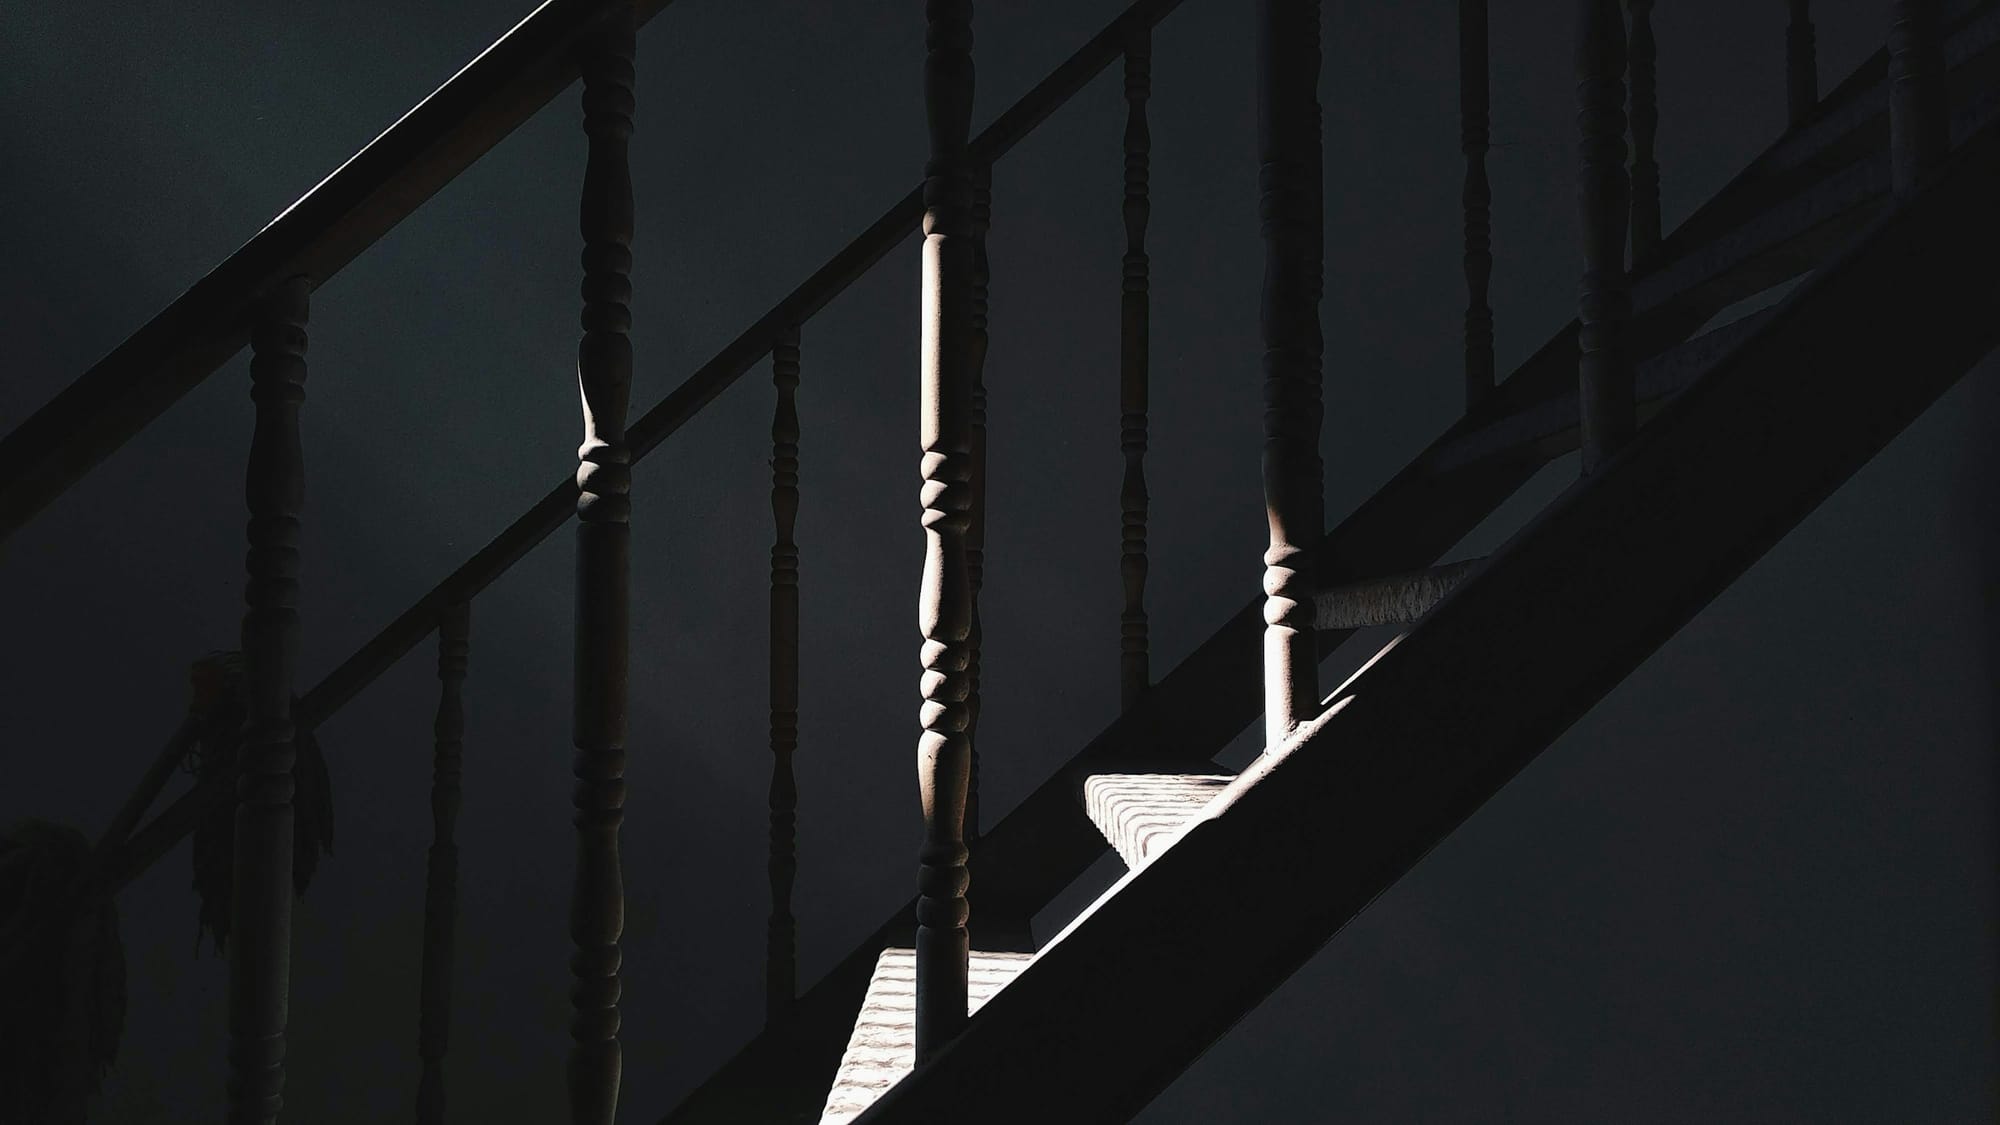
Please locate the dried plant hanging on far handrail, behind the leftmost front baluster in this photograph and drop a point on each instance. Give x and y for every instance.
(223, 706)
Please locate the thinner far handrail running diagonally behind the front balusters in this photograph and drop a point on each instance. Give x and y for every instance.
(649, 431)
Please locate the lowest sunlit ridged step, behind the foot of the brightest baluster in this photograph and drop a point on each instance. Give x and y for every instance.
(883, 1048)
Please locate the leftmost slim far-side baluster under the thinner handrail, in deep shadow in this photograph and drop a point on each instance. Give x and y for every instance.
(441, 880)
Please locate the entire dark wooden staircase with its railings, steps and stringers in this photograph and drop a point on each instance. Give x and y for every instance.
(1703, 445)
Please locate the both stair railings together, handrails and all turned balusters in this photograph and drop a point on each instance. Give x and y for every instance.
(261, 295)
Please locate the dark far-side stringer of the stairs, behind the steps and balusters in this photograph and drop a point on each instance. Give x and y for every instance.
(1739, 243)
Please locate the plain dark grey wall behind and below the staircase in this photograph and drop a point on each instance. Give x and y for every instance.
(1757, 884)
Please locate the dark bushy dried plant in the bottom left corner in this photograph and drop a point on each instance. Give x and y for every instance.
(61, 972)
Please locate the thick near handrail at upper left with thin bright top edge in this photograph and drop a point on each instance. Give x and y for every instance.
(329, 227)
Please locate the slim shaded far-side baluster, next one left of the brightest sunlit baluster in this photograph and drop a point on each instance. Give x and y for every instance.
(781, 940)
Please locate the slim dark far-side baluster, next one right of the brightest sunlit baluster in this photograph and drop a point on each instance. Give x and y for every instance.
(1135, 367)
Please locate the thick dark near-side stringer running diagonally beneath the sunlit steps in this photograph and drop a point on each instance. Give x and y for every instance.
(1175, 954)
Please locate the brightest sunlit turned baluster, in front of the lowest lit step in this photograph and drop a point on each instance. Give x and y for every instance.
(945, 606)
